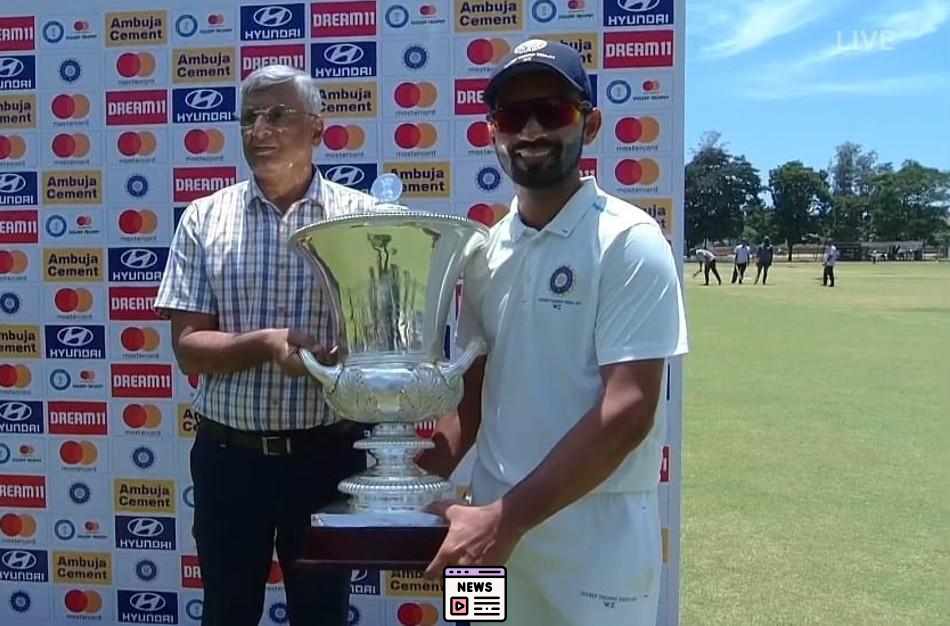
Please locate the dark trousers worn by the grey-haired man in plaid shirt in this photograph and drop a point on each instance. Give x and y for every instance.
(245, 503)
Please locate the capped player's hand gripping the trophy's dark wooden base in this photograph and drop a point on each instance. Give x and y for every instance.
(478, 535)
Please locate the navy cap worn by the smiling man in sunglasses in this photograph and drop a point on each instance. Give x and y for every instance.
(537, 54)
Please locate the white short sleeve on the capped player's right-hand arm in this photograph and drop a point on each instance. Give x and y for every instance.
(640, 313)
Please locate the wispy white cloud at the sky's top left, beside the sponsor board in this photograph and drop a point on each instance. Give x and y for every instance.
(738, 27)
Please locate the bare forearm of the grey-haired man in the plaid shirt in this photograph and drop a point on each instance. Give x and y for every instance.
(217, 352)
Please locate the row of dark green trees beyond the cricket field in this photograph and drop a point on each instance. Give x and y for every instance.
(857, 198)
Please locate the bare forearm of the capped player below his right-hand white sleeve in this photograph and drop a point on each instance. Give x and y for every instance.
(585, 457)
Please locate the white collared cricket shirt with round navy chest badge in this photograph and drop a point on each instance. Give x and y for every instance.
(597, 285)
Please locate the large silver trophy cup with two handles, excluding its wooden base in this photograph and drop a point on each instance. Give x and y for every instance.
(391, 275)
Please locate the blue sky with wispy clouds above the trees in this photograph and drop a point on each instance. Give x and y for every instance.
(791, 79)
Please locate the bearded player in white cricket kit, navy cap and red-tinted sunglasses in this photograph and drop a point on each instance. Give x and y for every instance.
(578, 297)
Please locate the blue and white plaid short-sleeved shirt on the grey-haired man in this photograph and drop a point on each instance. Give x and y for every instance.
(230, 258)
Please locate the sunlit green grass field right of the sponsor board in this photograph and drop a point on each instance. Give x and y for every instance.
(817, 448)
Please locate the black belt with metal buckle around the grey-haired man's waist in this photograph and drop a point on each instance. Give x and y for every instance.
(283, 443)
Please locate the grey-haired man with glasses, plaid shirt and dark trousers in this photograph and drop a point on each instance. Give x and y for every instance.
(268, 450)
